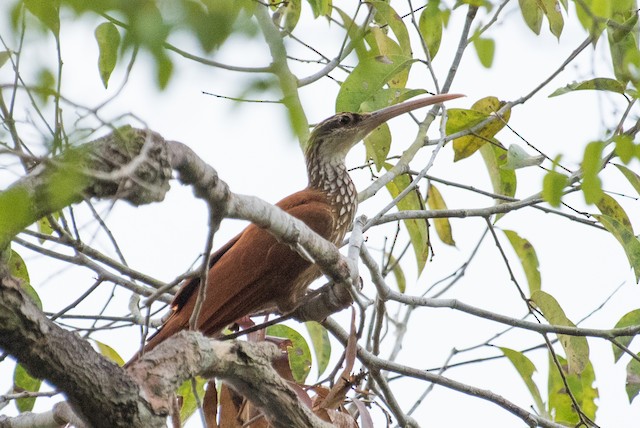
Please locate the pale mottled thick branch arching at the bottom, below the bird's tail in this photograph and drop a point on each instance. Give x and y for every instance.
(243, 365)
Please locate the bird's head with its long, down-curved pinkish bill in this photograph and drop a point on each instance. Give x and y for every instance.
(335, 136)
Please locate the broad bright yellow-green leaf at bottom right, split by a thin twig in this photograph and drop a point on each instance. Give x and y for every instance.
(581, 385)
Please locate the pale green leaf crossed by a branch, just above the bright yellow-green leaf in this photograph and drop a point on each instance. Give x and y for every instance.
(575, 347)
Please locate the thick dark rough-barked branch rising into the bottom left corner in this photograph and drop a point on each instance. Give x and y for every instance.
(100, 392)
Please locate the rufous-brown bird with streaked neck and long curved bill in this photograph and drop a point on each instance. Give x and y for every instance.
(254, 271)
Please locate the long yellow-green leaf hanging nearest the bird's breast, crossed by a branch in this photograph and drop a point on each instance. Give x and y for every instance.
(417, 228)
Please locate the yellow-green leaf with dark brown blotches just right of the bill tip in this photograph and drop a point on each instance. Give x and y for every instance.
(464, 147)
